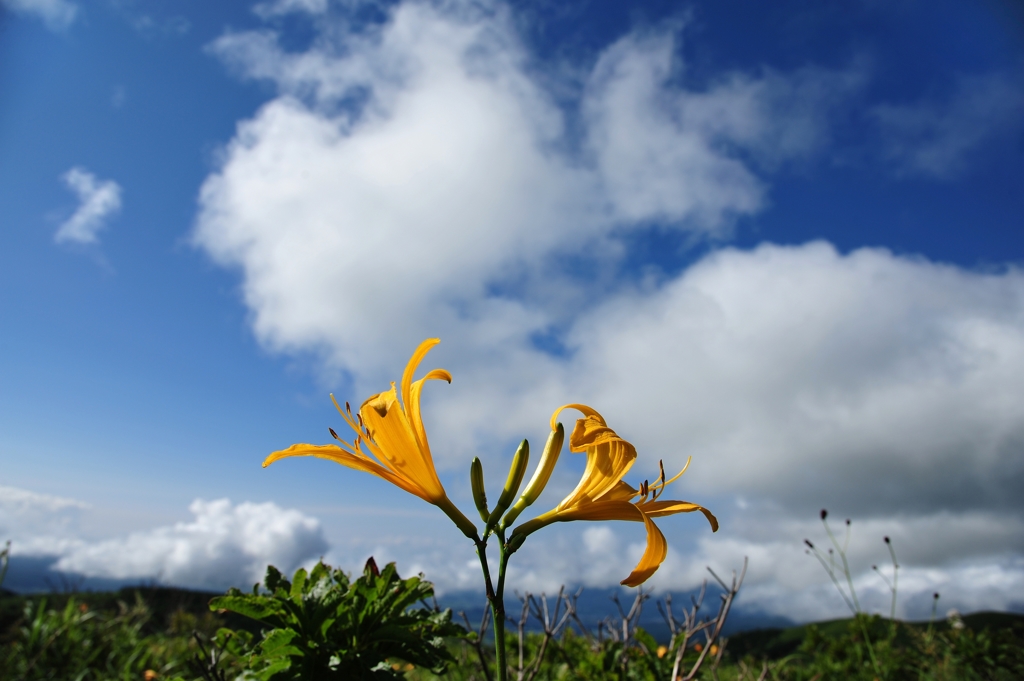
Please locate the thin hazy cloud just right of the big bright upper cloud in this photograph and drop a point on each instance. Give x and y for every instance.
(663, 151)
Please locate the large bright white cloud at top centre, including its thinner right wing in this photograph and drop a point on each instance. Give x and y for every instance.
(426, 145)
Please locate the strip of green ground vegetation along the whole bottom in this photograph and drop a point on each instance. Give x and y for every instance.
(323, 625)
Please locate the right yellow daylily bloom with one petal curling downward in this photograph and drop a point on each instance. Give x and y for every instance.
(603, 495)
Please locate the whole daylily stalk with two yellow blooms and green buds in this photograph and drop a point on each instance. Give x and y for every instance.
(392, 444)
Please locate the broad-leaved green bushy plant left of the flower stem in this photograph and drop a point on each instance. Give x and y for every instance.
(324, 626)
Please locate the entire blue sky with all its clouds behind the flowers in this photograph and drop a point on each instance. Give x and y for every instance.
(783, 240)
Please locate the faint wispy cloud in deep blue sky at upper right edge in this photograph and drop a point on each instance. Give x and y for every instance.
(940, 139)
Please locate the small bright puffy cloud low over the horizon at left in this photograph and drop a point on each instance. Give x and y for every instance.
(224, 546)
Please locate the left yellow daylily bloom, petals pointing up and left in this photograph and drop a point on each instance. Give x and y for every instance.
(393, 433)
